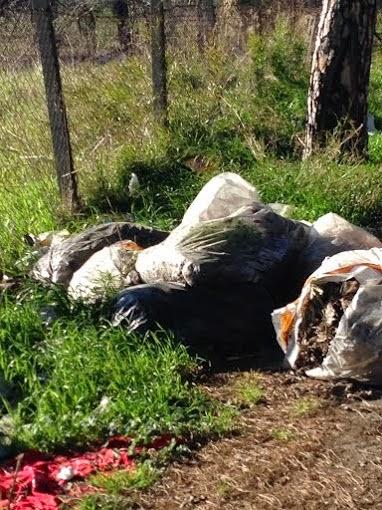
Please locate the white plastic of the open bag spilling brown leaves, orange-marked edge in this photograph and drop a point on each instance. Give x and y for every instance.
(355, 351)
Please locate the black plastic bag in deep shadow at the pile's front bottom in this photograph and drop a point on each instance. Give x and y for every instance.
(215, 322)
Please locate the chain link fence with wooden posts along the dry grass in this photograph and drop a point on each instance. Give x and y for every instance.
(105, 50)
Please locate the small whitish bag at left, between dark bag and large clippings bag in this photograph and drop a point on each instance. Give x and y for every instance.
(108, 270)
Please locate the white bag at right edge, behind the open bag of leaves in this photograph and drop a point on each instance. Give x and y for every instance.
(332, 234)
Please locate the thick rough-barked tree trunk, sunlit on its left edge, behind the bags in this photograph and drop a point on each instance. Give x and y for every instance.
(340, 73)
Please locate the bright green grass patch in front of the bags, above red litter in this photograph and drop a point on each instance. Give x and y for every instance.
(64, 372)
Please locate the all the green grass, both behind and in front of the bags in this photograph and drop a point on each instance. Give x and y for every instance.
(241, 112)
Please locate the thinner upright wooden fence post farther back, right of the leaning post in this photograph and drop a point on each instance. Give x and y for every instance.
(158, 61)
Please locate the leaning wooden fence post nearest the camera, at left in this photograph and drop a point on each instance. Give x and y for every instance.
(66, 175)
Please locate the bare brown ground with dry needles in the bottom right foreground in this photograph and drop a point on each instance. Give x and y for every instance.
(306, 445)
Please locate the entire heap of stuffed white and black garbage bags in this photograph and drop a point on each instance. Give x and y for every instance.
(218, 276)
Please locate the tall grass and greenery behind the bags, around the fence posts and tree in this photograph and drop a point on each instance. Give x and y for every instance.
(242, 111)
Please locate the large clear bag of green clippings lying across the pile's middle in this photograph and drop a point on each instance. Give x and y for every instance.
(252, 245)
